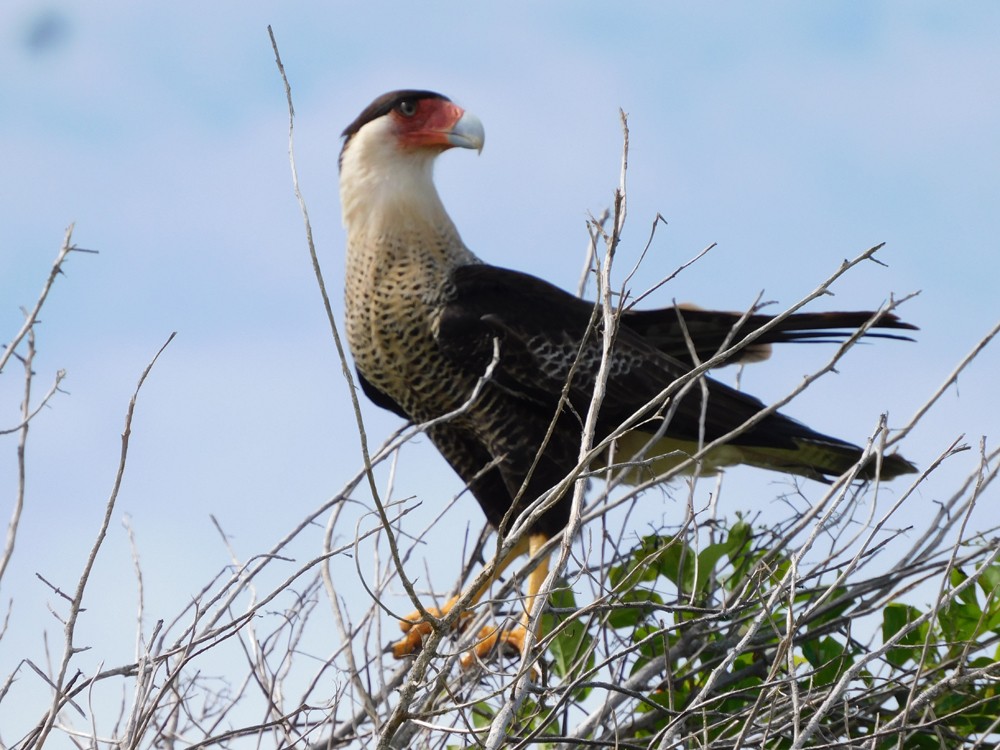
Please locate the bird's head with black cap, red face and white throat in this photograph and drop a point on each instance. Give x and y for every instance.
(386, 163)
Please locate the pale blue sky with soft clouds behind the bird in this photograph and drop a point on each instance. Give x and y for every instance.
(793, 135)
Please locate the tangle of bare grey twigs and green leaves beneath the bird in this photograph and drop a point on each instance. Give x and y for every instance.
(824, 629)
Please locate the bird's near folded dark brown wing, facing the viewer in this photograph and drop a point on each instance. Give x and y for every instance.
(548, 339)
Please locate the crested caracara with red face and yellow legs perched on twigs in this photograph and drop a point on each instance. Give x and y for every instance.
(501, 365)
